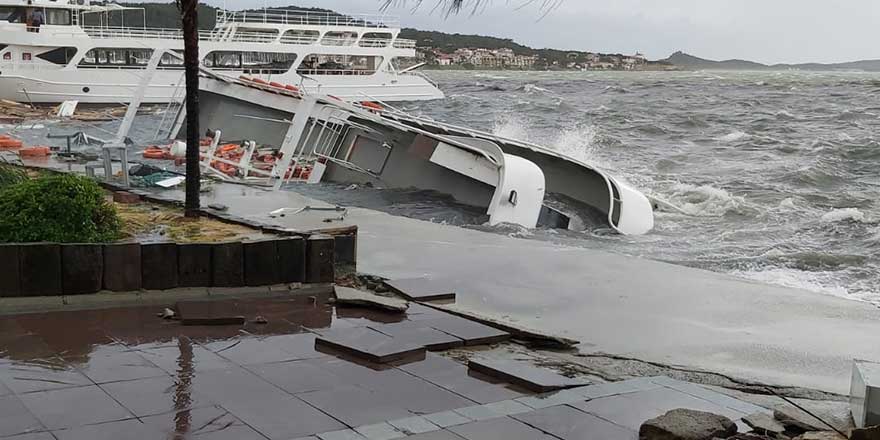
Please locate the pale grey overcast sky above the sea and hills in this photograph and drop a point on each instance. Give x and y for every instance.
(768, 31)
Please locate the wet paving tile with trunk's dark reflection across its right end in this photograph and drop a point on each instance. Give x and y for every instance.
(156, 395)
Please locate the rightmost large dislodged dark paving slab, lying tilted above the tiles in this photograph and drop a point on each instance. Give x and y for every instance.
(524, 374)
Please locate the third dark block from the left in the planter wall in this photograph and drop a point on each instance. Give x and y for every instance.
(82, 268)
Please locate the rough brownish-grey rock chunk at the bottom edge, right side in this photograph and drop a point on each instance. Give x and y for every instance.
(687, 424)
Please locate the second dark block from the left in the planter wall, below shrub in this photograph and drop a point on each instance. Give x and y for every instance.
(39, 266)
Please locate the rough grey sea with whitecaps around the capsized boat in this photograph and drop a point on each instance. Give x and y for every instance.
(774, 176)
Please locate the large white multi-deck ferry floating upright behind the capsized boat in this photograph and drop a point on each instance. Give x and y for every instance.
(90, 52)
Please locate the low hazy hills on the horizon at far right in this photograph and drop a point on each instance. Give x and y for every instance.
(690, 62)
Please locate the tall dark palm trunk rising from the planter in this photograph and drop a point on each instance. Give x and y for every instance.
(190, 19)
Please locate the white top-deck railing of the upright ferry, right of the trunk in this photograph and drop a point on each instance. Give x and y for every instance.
(281, 16)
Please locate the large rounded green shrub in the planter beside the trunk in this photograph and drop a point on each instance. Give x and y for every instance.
(61, 208)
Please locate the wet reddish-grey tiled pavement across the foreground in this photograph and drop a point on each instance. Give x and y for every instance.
(124, 373)
